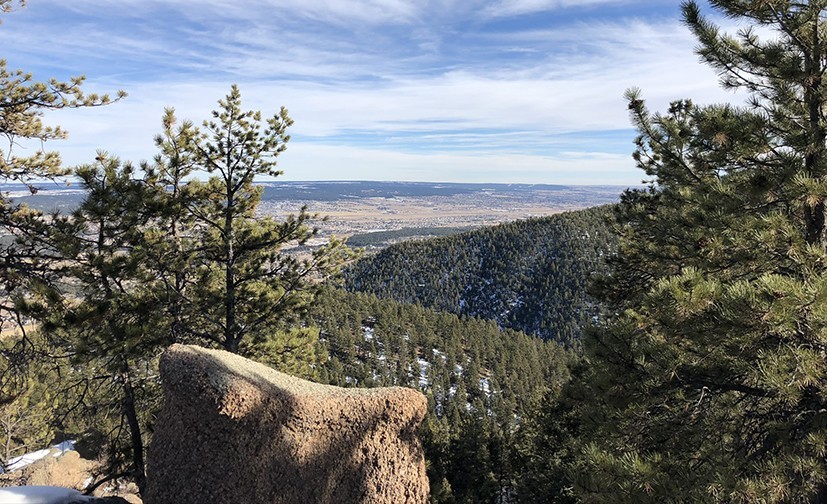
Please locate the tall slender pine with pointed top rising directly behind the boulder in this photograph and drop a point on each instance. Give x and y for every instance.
(244, 290)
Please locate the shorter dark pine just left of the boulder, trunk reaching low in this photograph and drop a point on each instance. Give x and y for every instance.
(103, 311)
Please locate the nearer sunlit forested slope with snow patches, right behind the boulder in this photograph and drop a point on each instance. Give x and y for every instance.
(483, 384)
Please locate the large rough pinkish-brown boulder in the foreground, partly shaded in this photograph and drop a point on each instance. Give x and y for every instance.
(232, 431)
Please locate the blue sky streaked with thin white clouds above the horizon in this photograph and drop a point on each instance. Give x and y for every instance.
(508, 91)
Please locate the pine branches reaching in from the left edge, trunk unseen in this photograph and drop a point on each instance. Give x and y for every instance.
(24, 102)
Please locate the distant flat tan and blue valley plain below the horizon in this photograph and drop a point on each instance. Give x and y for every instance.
(355, 208)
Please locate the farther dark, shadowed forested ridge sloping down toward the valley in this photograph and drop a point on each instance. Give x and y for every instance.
(528, 275)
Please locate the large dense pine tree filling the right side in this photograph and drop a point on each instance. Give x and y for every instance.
(708, 382)
